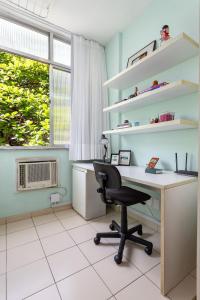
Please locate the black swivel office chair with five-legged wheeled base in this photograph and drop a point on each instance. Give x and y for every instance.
(112, 192)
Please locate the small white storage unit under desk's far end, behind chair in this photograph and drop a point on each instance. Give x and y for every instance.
(85, 199)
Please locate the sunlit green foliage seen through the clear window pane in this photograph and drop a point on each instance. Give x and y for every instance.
(24, 101)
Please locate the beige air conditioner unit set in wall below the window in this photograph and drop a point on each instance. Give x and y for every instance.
(36, 174)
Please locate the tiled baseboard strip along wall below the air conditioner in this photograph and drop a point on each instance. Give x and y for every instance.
(37, 213)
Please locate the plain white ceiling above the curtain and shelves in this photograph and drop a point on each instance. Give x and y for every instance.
(95, 19)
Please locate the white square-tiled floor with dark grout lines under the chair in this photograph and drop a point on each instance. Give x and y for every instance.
(53, 257)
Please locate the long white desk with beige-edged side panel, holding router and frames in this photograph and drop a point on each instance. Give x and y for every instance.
(178, 219)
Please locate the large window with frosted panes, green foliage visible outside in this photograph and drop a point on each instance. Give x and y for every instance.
(34, 86)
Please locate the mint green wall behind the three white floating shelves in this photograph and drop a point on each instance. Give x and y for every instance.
(181, 16)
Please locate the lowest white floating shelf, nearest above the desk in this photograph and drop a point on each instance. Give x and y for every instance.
(178, 124)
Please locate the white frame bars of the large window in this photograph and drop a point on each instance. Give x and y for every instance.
(52, 64)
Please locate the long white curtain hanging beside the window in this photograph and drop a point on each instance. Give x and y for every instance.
(88, 99)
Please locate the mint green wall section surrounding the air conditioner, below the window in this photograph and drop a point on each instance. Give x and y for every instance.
(13, 202)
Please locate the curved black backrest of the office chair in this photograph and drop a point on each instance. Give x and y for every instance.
(113, 177)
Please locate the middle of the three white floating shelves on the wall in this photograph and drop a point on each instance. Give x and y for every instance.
(170, 91)
